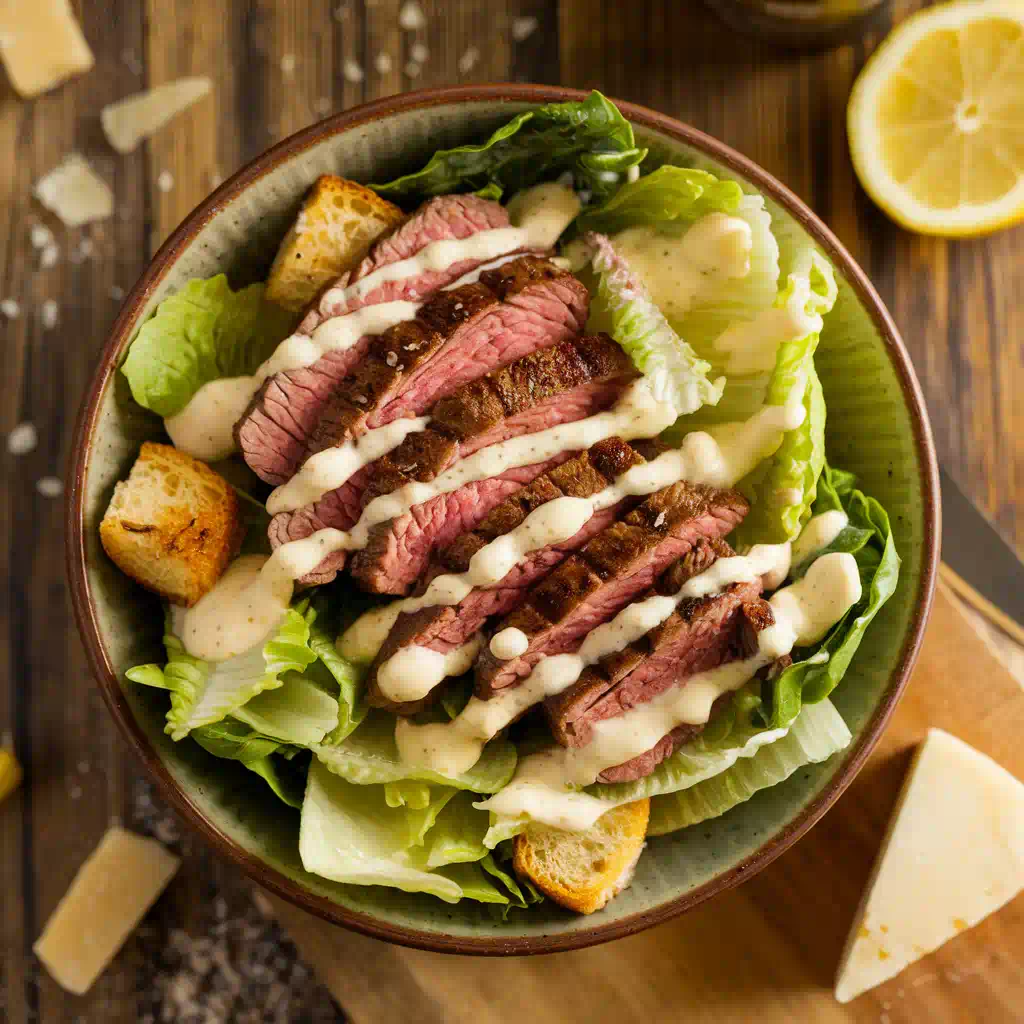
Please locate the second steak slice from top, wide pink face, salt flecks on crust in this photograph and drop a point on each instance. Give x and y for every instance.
(457, 337)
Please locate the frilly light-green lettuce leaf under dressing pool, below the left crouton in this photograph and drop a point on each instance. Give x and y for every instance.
(203, 693)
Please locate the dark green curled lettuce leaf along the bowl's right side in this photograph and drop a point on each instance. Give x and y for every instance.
(817, 672)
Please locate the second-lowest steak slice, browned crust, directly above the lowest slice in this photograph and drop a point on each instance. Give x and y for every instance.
(592, 586)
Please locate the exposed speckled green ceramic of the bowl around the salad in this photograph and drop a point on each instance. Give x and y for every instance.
(871, 432)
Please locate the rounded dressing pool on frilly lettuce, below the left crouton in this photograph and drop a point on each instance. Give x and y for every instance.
(245, 607)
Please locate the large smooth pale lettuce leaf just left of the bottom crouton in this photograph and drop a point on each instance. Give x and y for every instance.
(350, 834)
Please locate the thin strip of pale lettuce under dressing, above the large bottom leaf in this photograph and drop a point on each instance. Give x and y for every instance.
(370, 756)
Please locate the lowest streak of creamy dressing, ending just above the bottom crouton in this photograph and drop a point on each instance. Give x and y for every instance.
(804, 613)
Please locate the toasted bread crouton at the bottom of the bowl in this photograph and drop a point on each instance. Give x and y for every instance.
(583, 871)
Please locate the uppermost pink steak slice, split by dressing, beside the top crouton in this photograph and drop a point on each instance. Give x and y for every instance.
(274, 433)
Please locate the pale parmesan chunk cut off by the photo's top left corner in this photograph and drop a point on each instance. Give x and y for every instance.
(41, 45)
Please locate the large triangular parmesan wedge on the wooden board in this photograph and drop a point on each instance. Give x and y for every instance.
(954, 855)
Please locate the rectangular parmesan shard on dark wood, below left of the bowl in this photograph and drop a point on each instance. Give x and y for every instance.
(115, 887)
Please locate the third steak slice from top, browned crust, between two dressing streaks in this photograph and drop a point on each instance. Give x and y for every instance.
(561, 385)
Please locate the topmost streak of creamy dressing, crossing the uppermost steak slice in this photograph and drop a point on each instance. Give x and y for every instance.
(205, 428)
